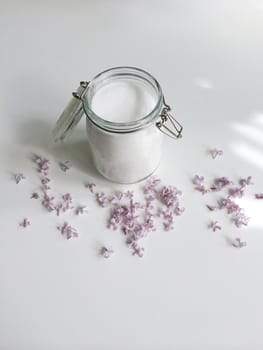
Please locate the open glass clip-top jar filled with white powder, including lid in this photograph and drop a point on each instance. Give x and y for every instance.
(126, 117)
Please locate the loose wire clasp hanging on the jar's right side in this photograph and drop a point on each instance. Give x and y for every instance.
(166, 116)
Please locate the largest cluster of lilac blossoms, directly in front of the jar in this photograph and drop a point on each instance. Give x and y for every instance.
(137, 219)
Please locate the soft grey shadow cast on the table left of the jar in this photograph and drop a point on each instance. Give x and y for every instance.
(37, 135)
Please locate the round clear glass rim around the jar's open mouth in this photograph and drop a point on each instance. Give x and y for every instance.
(130, 72)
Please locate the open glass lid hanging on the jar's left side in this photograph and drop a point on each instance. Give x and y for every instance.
(71, 114)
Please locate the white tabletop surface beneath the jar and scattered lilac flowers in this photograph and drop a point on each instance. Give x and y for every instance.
(191, 290)
